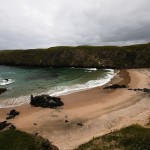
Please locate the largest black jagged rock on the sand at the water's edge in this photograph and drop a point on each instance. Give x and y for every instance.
(46, 101)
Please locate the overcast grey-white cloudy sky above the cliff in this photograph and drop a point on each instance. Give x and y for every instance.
(45, 23)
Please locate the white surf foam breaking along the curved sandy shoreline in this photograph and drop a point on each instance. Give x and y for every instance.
(60, 90)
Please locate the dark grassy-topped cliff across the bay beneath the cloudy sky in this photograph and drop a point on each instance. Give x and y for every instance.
(135, 56)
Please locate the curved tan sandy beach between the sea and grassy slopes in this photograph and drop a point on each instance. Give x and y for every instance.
(100, 111)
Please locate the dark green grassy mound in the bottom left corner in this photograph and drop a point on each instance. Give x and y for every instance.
(18, 140)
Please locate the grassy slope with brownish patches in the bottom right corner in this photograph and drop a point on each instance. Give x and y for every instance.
(130, 138)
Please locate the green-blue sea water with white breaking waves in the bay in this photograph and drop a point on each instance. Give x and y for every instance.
(21, 82)
